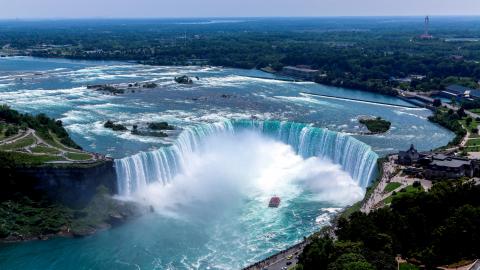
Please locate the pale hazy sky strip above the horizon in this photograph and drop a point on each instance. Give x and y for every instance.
(23, 9)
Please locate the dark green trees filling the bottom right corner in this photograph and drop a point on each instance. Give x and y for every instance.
(428, 229)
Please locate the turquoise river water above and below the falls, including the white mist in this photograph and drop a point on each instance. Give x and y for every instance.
(211, 215)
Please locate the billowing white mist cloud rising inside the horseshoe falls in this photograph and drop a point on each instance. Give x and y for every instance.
(248, 165)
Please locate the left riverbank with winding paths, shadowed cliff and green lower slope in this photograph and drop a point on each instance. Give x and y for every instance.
(52, 188)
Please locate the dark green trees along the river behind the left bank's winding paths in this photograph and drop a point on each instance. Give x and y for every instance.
(41, 123)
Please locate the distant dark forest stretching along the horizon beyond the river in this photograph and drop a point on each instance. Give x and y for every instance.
(367, 54)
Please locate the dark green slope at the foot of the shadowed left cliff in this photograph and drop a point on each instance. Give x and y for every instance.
(25, 217)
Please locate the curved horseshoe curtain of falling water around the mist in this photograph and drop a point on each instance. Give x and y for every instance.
(355, 157)
